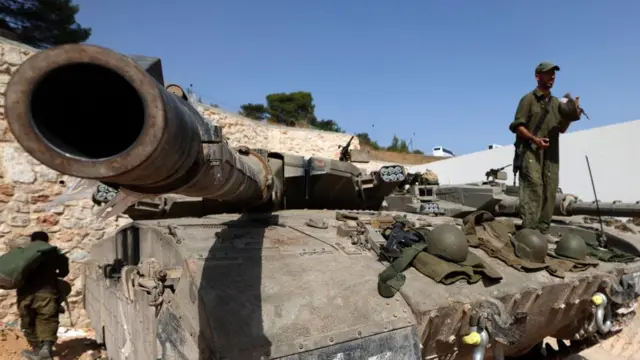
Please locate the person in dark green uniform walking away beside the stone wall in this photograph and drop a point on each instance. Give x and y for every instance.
(39, 302)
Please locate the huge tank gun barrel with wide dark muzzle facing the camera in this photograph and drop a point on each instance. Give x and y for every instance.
(92, 113)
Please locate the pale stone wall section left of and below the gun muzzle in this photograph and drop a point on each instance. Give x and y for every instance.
(25, 186)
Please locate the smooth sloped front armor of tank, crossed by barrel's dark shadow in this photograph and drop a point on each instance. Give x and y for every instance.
(273, 287)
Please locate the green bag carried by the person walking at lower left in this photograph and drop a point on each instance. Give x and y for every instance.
(16, 265)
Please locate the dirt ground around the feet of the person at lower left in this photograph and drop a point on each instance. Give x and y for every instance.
(73, 344)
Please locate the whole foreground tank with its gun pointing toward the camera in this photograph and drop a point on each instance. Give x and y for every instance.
(240, 253)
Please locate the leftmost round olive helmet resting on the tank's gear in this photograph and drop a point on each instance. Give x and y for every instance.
(448, 242)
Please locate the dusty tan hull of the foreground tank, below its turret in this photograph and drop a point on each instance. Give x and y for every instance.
(269, 286)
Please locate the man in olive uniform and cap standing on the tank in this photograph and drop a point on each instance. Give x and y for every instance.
(538, 124)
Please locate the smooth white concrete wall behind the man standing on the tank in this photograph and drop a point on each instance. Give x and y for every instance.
(613, 153)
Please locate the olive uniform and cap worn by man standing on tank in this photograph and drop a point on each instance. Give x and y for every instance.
(539, 173)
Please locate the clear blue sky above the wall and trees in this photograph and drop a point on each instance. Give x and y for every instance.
(431, 72)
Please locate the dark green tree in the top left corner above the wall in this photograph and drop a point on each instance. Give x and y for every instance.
(42, 23)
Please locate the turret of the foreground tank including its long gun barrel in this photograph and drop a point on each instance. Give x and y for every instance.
(92, 113)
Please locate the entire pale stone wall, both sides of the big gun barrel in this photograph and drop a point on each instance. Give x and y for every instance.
(26, 185)
